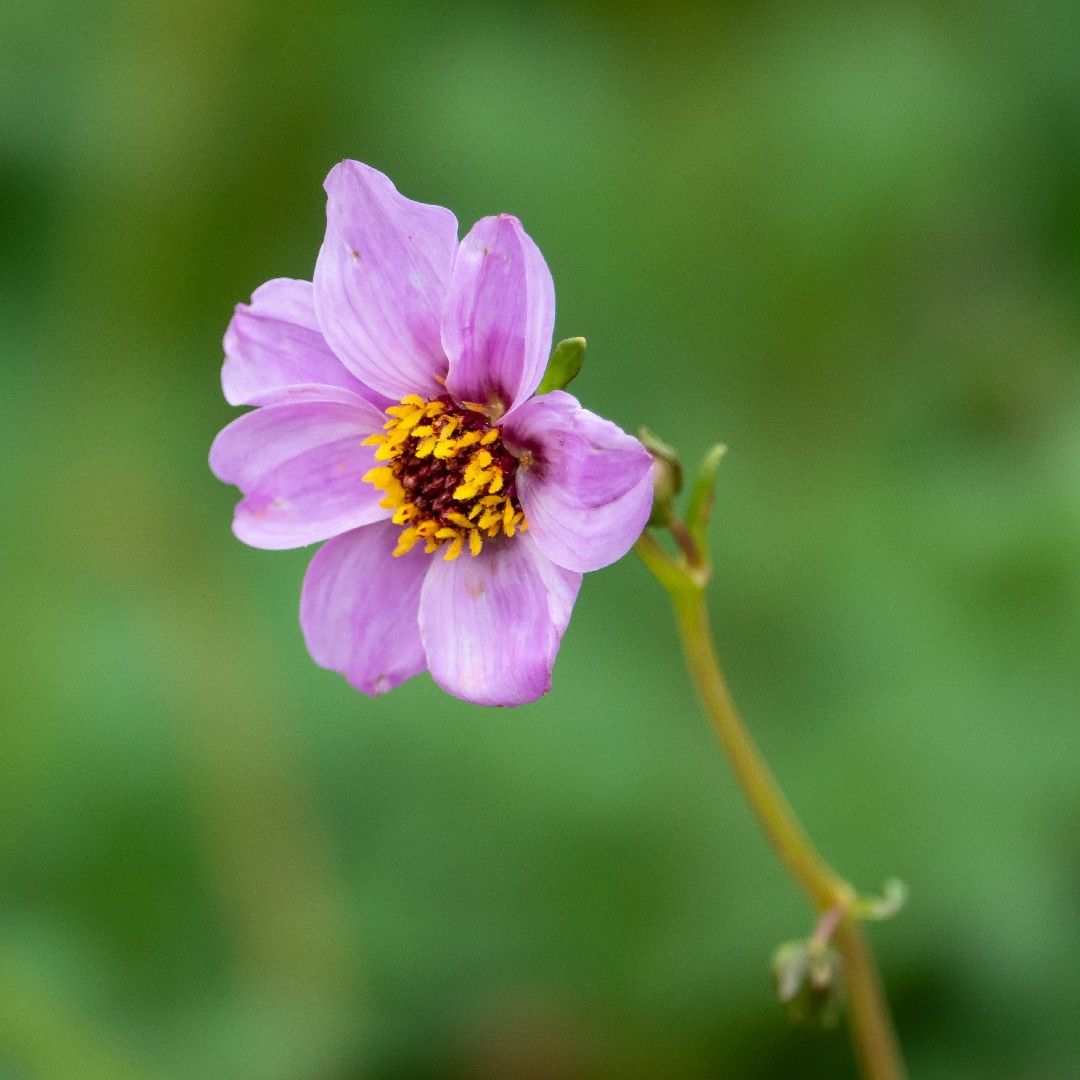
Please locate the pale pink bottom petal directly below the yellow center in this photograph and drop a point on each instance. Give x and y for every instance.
(492, 624)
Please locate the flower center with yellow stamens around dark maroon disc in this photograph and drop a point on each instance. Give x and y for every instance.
(449, 479)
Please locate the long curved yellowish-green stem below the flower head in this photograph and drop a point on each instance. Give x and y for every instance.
(869, 1019)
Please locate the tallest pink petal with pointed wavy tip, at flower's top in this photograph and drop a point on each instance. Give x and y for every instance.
(382, 280)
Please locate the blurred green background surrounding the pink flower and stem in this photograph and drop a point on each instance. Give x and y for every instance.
(845, 239)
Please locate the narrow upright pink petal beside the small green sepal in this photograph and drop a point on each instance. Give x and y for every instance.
(499, 316)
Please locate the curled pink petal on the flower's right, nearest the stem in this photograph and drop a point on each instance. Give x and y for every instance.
(588, 493)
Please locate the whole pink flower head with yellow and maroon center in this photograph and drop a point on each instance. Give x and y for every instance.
(398, 422)
